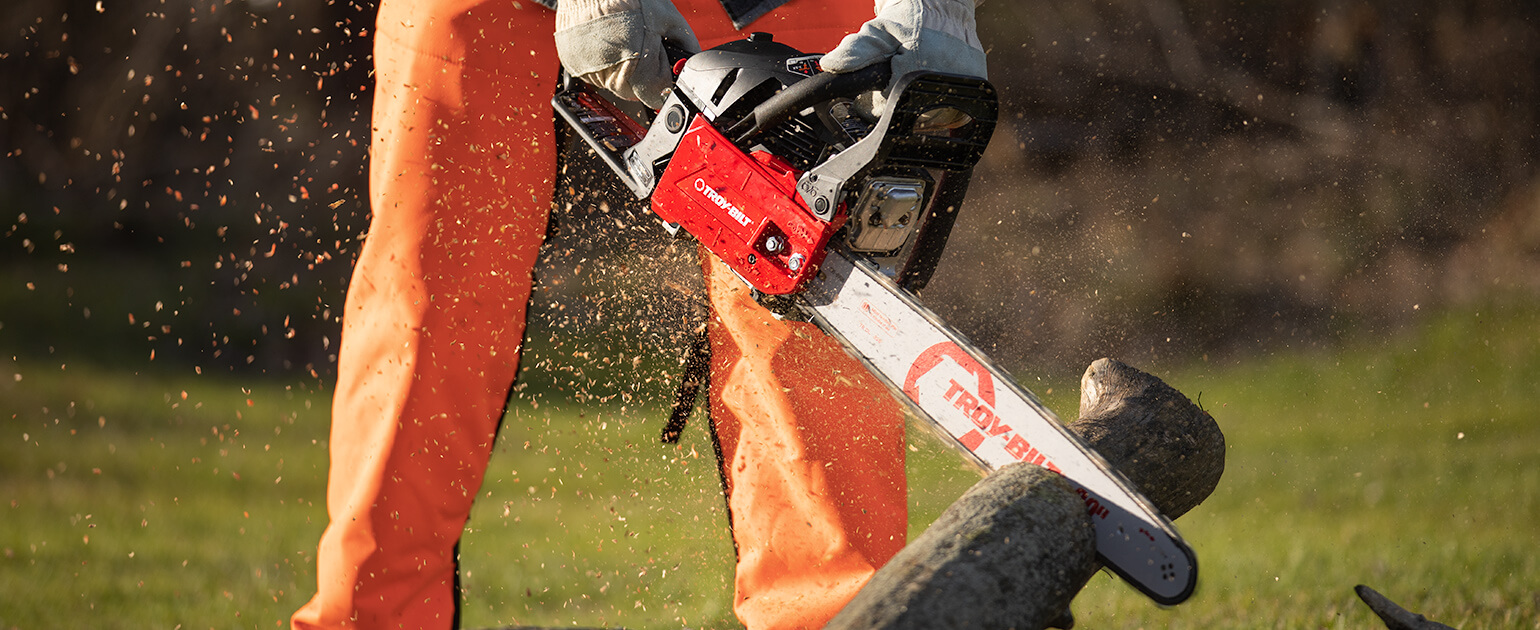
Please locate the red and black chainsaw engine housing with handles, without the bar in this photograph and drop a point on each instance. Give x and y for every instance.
(769, 163)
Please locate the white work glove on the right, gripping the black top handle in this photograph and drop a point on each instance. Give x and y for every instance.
(937, 36)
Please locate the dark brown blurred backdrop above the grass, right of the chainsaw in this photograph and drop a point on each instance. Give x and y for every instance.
(1187, 179)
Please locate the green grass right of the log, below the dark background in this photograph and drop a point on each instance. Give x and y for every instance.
(1410, 464)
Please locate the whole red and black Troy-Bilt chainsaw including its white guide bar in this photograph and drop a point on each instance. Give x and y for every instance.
(837, 215)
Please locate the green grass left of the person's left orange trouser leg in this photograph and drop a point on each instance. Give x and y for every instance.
(129, 506)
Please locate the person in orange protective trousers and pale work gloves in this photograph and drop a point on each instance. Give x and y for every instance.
(461, 181)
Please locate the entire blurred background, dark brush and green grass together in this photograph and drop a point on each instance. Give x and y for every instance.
(1319, 212)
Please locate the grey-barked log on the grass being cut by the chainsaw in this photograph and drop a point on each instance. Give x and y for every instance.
(1017, 548)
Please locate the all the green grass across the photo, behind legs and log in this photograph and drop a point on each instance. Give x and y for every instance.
(1410, 464)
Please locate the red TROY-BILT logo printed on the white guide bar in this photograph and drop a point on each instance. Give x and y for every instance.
(977, 403)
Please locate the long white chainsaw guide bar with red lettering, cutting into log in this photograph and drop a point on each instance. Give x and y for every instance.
(994, 420)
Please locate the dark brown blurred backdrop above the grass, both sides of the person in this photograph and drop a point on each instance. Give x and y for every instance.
(186, 179)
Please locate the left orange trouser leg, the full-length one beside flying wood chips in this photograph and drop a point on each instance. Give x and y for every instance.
(460, 187)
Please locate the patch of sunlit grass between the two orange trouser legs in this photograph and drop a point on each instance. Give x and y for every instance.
(588, 520)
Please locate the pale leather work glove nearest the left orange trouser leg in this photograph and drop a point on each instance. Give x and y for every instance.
(618, 45)
